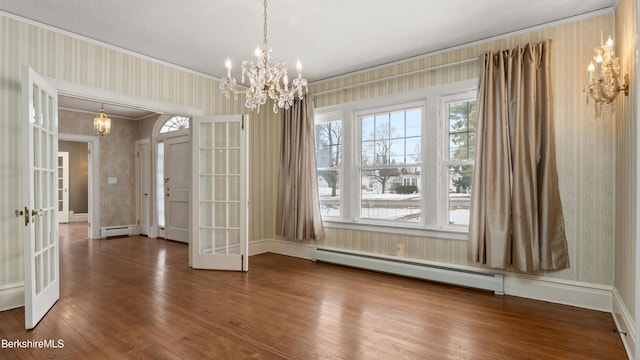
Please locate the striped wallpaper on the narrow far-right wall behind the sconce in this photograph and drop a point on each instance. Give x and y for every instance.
(626, 159)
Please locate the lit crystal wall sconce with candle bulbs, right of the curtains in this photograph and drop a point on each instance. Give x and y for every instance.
(604, 79)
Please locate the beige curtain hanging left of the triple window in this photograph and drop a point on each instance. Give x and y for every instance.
(298, 211)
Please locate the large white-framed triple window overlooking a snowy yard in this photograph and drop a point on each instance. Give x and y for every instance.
(399, 165)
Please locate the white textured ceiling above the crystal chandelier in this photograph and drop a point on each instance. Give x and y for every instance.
(330, 37)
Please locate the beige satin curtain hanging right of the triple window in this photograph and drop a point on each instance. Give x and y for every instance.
(516, 213)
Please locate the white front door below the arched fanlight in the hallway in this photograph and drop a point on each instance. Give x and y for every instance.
(177, 170)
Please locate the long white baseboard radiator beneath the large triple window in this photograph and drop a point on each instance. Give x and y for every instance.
(405, 267)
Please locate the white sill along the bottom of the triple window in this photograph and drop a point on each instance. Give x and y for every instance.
(441, 233)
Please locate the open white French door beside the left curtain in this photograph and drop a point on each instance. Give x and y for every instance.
(220, 193)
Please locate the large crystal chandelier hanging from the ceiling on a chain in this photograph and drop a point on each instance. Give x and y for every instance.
(265, 79)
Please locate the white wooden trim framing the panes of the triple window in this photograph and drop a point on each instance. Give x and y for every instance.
(433, 100)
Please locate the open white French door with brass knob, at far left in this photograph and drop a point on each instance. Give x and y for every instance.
(40, 163)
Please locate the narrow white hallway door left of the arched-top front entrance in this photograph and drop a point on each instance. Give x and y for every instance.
(143, 186)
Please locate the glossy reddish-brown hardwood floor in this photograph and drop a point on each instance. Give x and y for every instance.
(137, 297)
